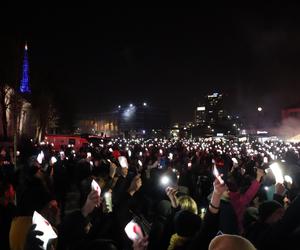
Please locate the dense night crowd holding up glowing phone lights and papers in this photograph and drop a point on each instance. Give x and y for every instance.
(168, 194)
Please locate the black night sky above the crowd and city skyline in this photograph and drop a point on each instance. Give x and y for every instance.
(169, 57)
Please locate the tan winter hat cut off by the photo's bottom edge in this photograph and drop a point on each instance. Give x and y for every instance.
(230, 242)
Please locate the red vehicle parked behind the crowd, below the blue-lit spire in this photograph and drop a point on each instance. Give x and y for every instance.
(62, 141)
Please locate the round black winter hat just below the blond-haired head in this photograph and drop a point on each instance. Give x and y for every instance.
(186, 223)
